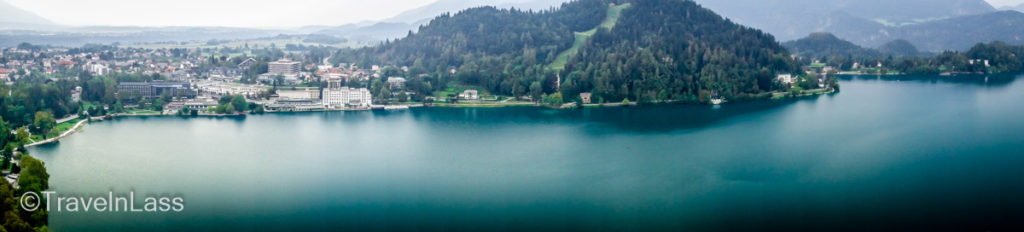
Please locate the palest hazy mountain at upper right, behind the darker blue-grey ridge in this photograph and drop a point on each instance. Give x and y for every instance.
(790, 20)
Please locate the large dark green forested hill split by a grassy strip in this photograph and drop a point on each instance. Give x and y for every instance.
(661, 51)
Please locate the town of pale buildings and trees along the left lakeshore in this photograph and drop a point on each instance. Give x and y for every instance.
(169, 81)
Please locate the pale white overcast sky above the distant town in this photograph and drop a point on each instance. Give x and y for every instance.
(248, 14)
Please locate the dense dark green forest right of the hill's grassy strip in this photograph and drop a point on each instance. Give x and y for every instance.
(676, 51)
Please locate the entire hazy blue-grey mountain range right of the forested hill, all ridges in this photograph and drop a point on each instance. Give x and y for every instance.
(932, 26)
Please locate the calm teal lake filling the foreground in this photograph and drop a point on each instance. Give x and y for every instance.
(886, 154)
